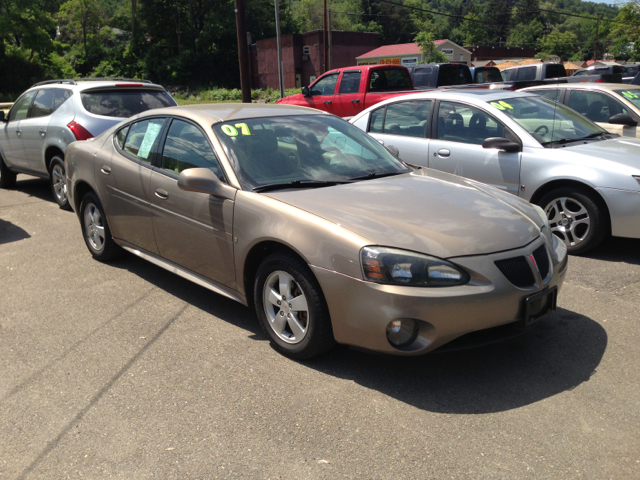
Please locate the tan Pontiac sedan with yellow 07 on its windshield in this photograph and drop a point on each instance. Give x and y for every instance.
(303, 217)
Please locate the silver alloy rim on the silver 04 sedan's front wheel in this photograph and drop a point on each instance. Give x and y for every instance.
(569, 220)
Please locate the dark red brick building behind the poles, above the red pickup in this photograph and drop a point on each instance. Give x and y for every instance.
(302, 56)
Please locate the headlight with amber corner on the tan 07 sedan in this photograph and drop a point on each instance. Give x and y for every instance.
(399, 267)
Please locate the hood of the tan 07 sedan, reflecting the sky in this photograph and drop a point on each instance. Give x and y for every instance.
(425, 211)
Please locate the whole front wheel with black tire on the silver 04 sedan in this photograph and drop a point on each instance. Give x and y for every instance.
(576, 216)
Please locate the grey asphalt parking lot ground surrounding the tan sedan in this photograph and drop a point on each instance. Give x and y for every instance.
(127, 371)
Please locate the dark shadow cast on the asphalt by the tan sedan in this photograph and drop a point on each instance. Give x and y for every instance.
(556, 356)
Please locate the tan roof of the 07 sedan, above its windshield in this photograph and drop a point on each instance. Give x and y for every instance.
(223, 112)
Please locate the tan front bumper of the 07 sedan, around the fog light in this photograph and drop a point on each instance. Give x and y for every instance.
(360, 311)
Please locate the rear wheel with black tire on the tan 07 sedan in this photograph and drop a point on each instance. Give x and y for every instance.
(95, 230)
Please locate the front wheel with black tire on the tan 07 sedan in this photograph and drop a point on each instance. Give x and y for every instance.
(291, 308)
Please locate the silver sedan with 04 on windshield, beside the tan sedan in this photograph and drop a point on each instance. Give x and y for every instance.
(586, 179)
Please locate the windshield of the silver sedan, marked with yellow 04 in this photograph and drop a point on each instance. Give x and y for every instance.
(550, 123)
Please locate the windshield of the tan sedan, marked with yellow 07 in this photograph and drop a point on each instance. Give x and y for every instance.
(304, 149)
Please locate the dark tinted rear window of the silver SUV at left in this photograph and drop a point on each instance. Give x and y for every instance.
(124, 103)
